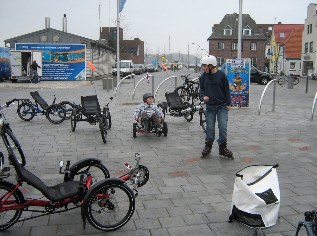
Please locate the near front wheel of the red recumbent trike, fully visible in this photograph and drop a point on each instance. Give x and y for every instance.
(109, 205)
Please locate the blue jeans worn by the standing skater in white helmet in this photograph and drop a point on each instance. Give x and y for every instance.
(219, 113)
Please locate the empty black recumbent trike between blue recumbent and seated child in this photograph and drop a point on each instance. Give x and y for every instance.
(90, 111)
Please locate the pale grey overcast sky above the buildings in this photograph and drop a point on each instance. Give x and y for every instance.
(163, 25)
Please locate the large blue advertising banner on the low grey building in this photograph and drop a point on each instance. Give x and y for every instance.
(59, 61)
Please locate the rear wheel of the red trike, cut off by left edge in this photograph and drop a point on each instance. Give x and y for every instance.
(10, 217)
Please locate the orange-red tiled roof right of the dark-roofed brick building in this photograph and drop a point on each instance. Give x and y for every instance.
(292, 39)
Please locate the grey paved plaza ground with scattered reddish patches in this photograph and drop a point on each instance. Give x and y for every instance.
(186, 195)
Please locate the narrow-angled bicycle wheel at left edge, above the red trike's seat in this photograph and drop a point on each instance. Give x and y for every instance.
(10, 141)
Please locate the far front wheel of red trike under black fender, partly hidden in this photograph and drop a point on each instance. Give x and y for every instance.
(97, 170)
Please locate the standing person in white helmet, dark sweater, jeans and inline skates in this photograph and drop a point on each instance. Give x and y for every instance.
(214, 91)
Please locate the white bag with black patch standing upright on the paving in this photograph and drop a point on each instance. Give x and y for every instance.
(256, 196)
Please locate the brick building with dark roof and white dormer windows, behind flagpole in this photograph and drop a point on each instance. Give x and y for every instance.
(223, 42)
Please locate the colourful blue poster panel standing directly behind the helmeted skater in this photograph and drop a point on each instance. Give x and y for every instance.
(238, 73)
